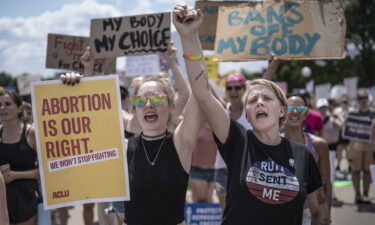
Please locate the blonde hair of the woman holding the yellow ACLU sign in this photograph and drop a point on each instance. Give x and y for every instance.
(163, 81)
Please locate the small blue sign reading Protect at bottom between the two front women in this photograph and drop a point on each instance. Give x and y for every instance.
(203, 213)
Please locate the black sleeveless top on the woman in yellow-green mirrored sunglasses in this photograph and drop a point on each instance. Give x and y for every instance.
(157, 193)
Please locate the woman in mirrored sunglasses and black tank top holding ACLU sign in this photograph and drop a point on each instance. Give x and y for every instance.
(158, 160)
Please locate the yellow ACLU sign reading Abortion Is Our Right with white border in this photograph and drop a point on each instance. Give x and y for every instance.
(80, 140)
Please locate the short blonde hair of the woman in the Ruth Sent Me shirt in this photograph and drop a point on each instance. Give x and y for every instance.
(275, 89)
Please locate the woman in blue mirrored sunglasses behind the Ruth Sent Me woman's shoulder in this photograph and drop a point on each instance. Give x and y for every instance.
(297, 112)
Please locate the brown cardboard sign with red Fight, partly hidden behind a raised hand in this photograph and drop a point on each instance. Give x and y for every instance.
(65, 51)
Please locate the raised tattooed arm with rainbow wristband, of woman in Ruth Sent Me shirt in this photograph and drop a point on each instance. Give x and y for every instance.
(187, 20)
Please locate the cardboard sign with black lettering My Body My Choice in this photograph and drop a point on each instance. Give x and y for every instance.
(130, 35)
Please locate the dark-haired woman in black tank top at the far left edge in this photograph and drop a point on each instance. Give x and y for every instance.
(18, 161)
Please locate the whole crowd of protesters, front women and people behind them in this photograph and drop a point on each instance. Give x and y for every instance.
(201, 140)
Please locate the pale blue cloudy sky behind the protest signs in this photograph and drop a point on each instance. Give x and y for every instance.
(24, 25)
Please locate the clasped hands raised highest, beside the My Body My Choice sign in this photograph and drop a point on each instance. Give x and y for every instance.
(186, 19)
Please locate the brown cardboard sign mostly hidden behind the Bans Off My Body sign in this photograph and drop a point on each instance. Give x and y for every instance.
(207, 30)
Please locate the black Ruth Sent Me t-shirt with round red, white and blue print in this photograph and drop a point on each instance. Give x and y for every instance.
(266, 184)
